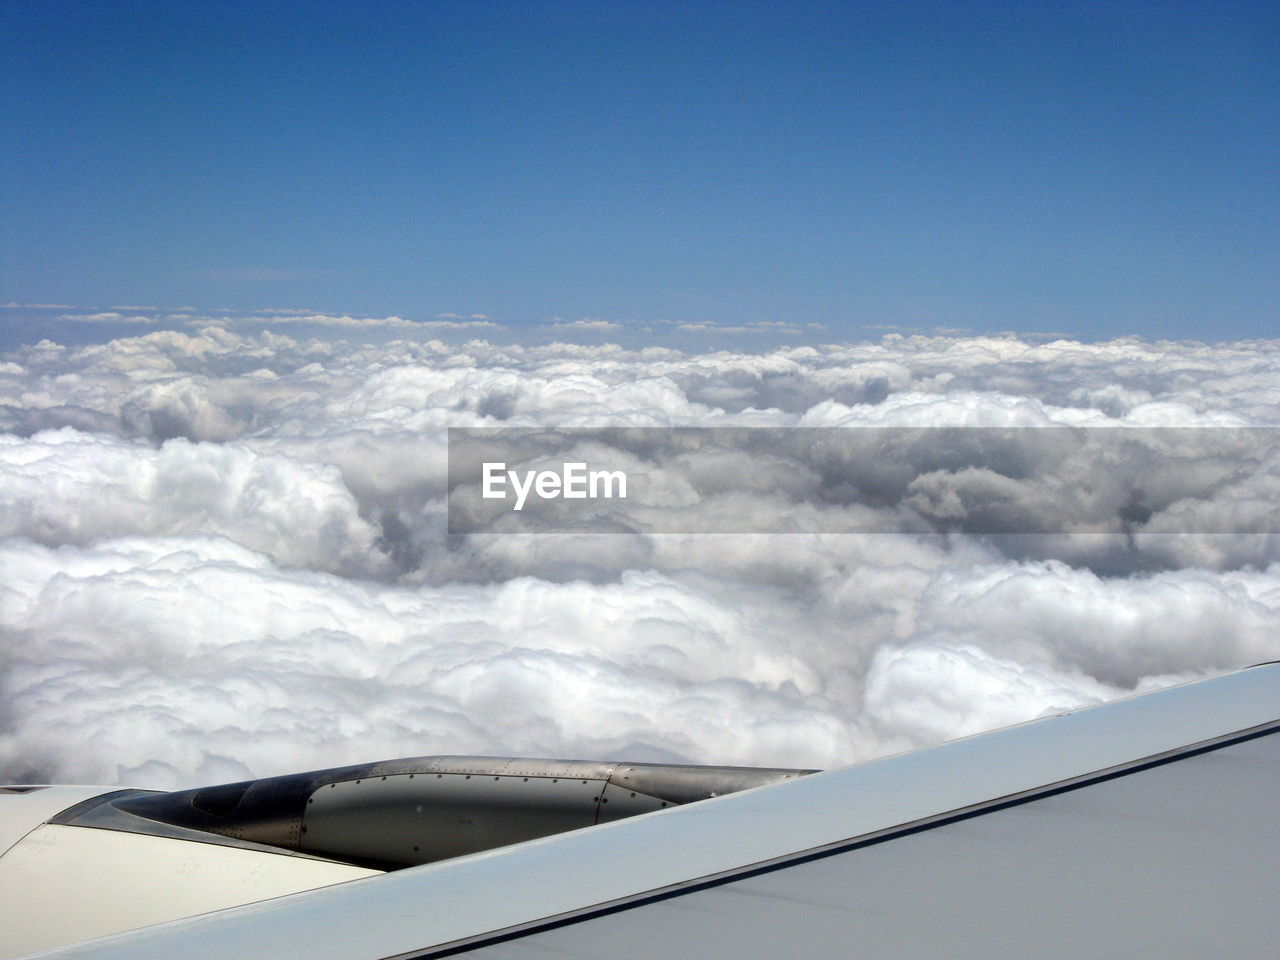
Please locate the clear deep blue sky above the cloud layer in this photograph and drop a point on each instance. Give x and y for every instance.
(1100, 170)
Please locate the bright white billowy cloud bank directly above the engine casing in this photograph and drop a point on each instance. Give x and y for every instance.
(301, 662)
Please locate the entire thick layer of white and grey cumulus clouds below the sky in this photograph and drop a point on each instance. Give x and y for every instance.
(223, 552)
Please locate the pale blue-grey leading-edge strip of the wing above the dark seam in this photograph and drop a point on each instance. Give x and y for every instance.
(467, 900)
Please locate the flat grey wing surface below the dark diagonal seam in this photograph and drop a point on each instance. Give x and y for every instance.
(1177, 862)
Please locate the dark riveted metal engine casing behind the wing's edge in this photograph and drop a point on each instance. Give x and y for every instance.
(415, 811)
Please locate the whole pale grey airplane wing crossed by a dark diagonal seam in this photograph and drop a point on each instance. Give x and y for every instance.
(1144, 828)
